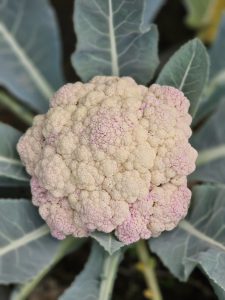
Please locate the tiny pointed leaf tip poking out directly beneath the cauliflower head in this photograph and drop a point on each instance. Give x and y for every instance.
(107, 241)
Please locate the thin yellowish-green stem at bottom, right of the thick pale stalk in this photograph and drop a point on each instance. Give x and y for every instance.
(148, 269)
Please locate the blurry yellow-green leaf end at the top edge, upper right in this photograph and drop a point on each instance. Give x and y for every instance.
(199, 12)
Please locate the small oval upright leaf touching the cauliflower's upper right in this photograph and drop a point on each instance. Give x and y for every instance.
(187, 70)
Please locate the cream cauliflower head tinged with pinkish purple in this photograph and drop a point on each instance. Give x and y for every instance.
(113, 156)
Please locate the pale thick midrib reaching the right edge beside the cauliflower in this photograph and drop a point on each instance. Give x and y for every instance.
(206, 156)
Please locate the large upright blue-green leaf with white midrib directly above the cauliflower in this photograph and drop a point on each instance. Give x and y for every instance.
(115, 38)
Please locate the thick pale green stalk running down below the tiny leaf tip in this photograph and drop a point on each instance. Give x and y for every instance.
(110, 267)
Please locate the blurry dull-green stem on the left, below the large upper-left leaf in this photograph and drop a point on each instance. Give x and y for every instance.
(20, 111)
